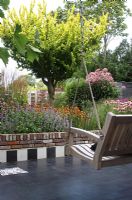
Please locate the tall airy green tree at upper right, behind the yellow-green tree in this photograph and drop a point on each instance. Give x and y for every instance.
(117, 12)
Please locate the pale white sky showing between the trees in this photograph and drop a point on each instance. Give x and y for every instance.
(52, 5)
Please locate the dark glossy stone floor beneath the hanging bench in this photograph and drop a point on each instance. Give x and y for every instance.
(66, 179)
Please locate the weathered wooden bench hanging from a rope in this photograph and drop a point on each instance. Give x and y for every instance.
(114, 144)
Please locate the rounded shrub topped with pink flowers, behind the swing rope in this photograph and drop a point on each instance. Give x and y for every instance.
(102, 83)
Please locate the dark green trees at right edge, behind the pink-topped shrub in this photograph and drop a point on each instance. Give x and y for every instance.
(118, 62)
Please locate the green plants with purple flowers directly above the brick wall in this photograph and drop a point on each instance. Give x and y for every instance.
(28, 120)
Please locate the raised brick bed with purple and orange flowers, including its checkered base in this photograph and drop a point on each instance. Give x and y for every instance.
(37, 131)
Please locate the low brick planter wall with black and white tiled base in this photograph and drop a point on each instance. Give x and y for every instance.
(21, 147)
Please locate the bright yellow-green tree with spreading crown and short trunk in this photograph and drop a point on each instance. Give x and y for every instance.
(59, 42)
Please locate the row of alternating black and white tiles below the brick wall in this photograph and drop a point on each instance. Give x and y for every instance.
(31, 153)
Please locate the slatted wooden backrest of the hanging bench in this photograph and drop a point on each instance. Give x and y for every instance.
(117, 133)
